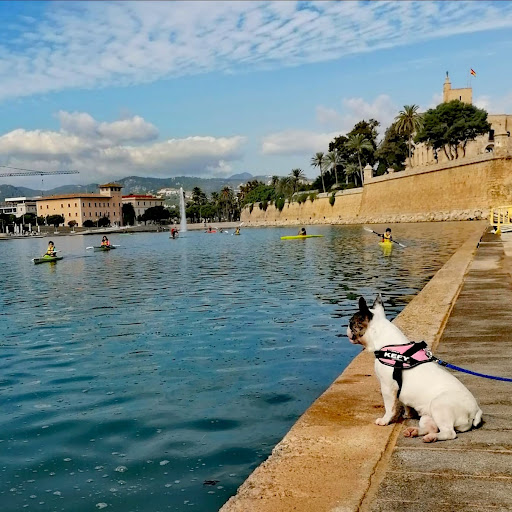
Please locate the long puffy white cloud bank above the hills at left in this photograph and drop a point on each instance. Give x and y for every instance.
(100, 150)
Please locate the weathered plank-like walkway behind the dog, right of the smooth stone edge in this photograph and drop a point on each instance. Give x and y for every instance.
(474, 471)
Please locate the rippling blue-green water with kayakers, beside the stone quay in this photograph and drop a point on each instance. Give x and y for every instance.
(129, 378)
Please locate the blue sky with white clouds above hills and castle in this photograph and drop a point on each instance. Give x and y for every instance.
(212, 88)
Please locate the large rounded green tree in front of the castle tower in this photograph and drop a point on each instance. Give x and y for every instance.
(450, 126)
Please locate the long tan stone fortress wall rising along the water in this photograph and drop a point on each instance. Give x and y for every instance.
(457, 190)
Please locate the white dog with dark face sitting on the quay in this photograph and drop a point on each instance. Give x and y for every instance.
(443, 403)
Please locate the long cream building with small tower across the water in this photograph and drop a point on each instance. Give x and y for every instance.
(82, 207)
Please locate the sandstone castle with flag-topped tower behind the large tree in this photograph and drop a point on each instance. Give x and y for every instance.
(497, 141)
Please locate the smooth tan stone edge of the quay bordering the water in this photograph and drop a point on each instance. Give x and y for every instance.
(334, 457)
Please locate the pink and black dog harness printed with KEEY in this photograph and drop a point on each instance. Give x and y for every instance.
(403, 357)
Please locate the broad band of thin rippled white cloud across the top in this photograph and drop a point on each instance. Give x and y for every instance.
(97, 44)
